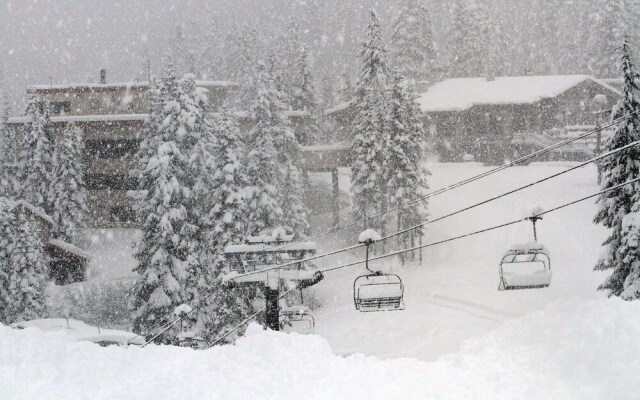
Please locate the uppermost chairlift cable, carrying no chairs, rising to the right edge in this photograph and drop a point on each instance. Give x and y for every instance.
(468, 180)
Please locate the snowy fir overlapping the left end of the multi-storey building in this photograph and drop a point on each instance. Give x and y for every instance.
(36, 154)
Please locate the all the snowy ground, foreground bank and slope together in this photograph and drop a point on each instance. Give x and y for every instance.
(458, 337)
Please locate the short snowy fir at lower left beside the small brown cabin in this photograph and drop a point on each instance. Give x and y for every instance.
(29, 274)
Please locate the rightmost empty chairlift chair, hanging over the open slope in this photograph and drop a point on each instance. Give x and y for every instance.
(526, 266)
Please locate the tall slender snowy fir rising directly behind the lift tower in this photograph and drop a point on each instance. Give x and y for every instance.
(263, 163)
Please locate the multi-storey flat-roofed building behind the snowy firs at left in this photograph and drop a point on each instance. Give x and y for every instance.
(111, 116)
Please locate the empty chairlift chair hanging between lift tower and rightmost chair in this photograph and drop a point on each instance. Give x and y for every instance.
(377, 291)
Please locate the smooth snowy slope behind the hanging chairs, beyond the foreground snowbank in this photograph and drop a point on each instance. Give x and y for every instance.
(453, 295)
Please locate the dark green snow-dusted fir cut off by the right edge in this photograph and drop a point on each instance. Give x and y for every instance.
(618, 209)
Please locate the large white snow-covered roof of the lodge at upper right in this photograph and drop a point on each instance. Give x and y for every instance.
(463, 93)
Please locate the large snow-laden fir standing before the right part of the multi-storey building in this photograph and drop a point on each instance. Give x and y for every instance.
(166, 255)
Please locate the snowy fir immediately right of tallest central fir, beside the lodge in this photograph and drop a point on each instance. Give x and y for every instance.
(406, 176)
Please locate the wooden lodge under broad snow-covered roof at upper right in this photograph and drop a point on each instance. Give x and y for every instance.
(491, 120)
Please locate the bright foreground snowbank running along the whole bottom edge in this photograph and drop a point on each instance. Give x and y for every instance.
(570, 350)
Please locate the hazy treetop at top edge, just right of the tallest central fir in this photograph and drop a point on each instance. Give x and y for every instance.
(412, 42)
